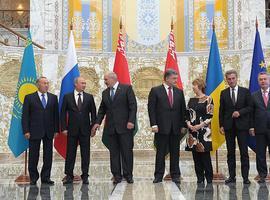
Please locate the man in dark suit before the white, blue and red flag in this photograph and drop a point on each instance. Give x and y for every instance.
(79, 110)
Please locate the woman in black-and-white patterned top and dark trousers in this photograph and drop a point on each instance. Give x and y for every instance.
(199, 141)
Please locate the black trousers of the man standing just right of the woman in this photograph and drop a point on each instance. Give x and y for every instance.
(241, 136)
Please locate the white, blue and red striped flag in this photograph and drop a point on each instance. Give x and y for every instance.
(71, 71)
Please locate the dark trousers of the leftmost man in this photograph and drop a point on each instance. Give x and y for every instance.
(34, 148)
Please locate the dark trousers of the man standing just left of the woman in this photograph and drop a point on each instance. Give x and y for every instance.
(164, 143)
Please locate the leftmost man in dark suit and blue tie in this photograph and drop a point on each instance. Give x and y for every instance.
(40, 121)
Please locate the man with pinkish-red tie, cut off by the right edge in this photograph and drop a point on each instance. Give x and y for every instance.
(260, 123)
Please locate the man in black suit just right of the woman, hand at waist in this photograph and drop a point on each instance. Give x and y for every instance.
(234, 116)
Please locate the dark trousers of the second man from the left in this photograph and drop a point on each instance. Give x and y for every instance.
(72, 143)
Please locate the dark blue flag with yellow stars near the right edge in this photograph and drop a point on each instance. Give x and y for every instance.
(258, 65)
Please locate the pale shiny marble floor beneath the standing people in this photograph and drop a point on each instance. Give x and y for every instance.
(101, 187)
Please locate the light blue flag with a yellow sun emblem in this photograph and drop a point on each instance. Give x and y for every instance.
(26, 85)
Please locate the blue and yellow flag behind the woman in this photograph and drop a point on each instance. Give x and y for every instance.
(214, 85)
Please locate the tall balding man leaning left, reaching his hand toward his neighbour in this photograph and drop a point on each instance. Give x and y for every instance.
(120, 107)
